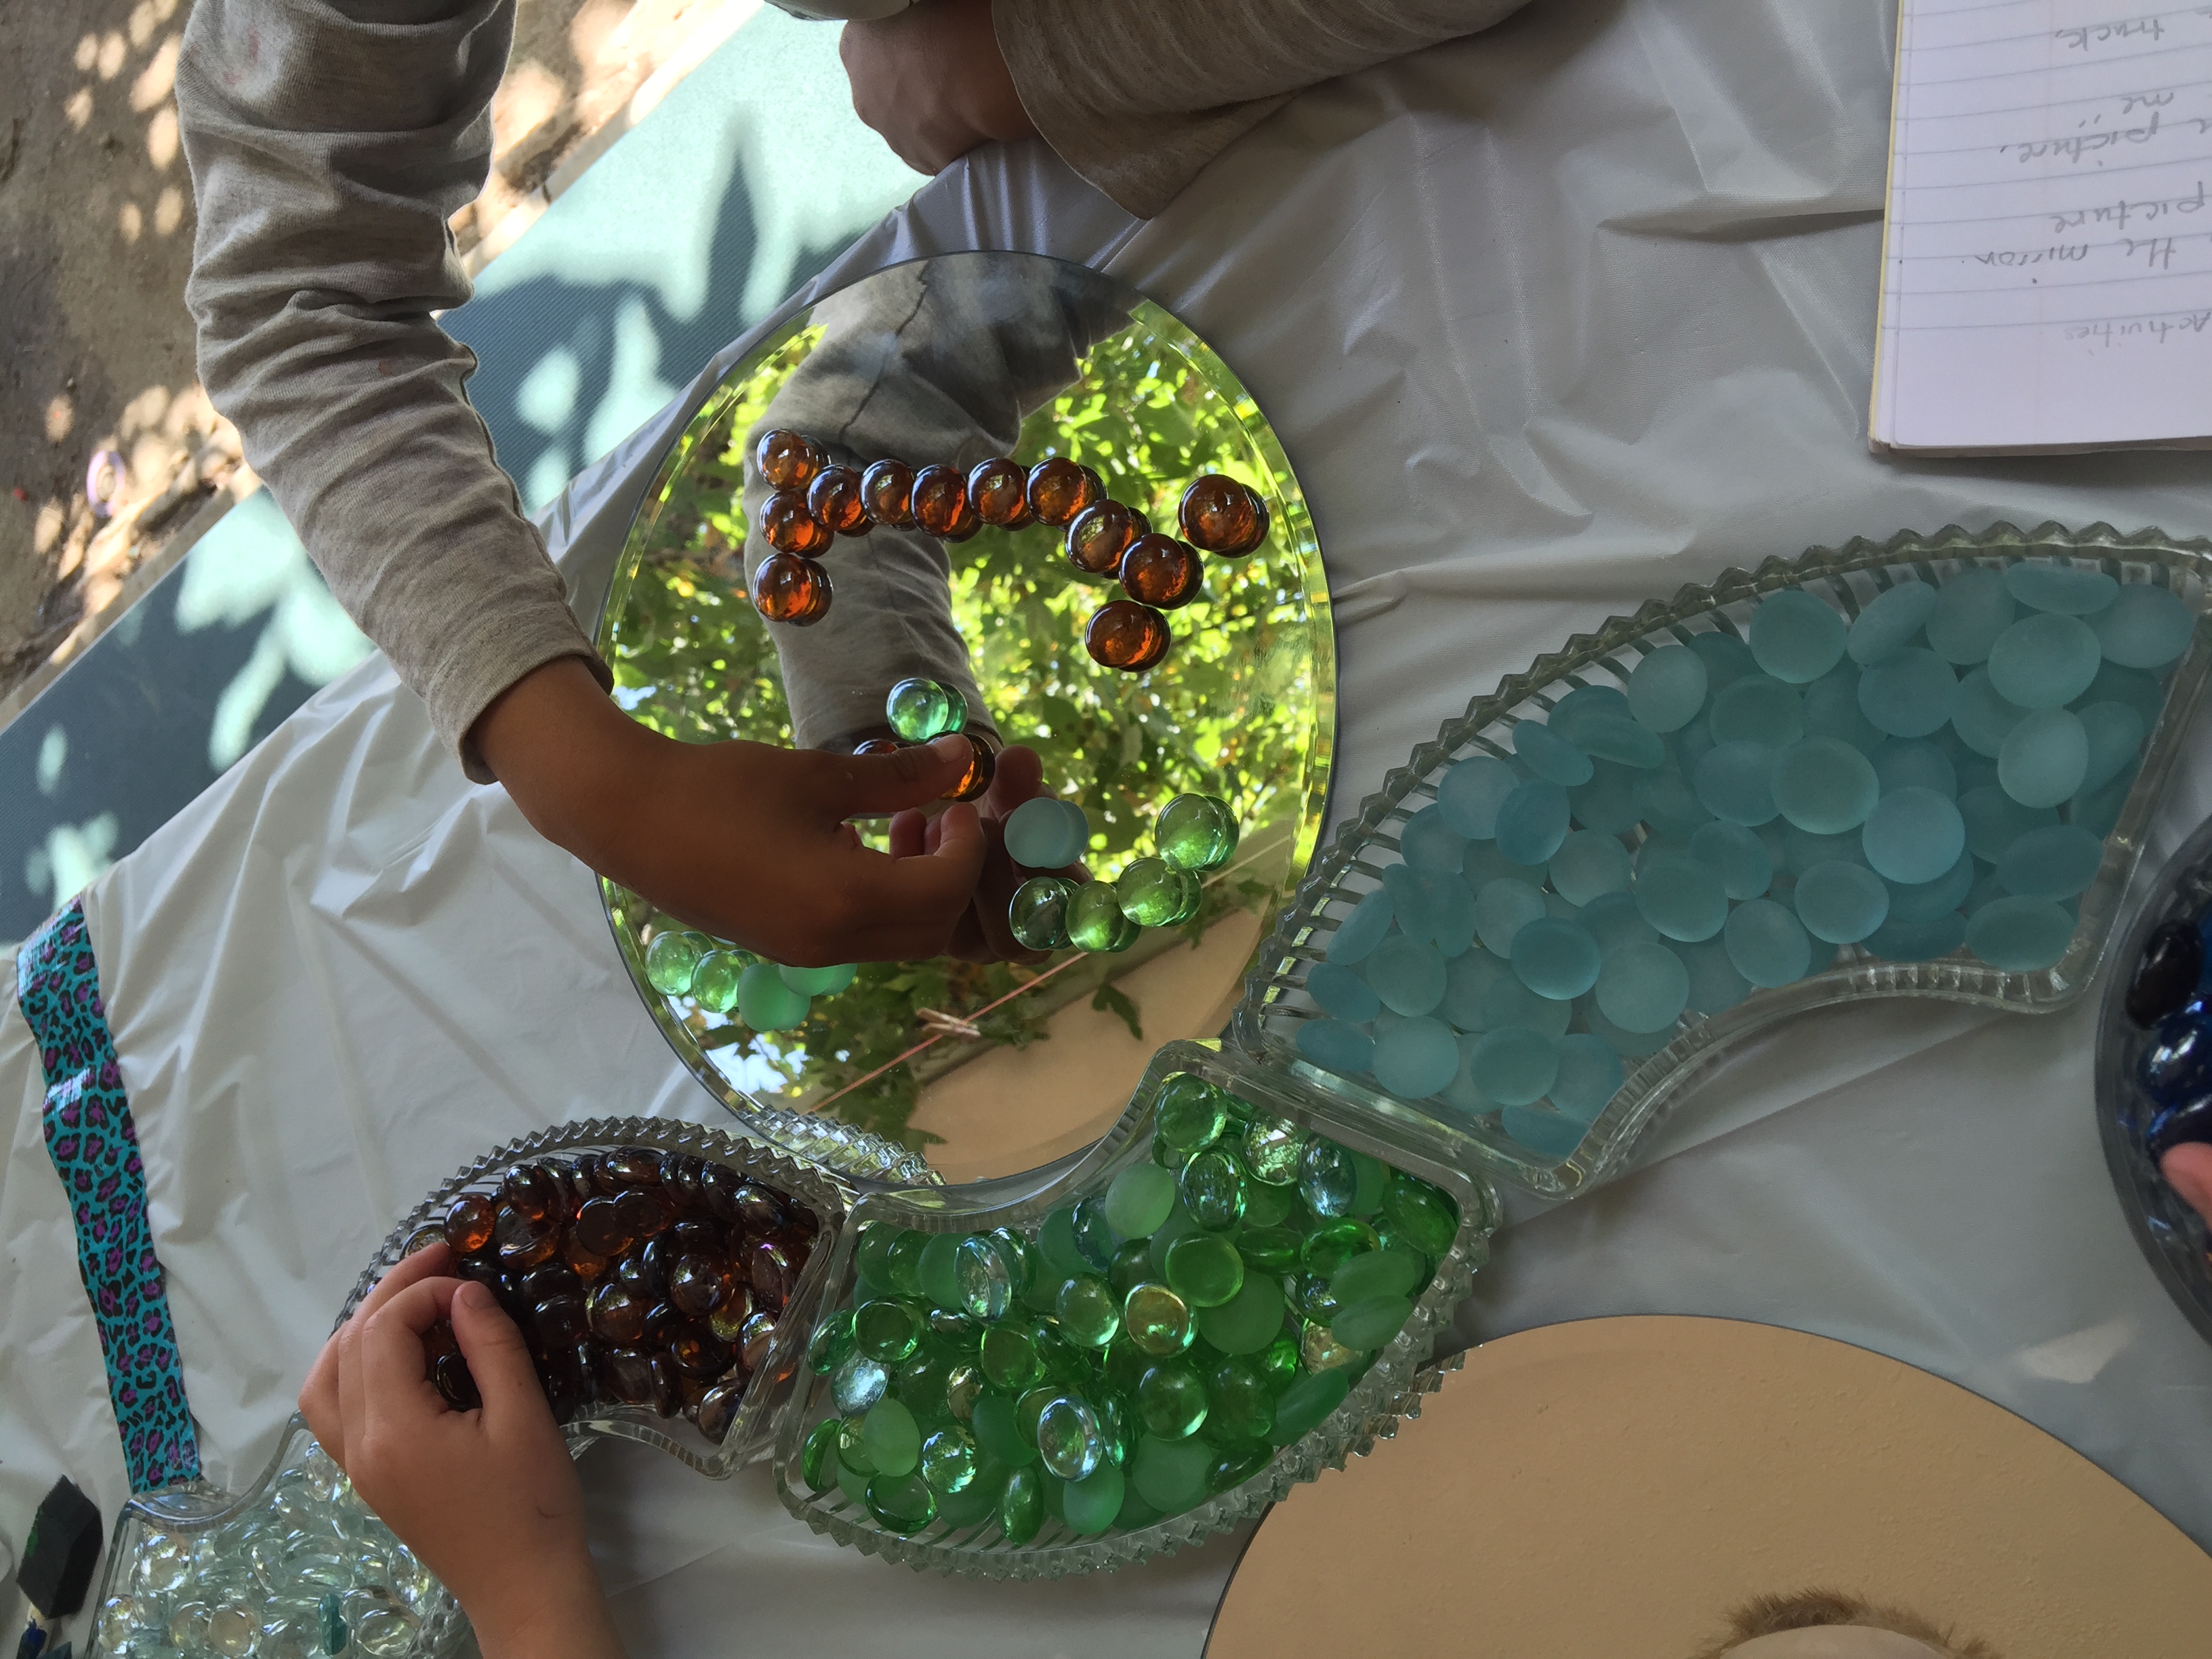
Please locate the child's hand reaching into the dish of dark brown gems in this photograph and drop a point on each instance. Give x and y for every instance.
(488, 1499)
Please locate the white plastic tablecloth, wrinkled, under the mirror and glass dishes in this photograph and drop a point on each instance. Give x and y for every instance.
(1550, 322)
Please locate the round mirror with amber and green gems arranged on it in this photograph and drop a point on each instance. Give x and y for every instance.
(961, 605)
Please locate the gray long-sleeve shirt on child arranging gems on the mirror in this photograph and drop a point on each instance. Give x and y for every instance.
(328, 145)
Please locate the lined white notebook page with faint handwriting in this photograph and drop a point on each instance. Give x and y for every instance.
(2049, 247)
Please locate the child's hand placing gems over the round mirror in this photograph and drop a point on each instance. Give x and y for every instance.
(740, 839)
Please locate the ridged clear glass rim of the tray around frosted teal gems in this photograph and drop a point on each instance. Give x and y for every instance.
(1846, 578)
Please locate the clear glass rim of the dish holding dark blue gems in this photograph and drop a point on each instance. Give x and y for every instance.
(2167, 1229)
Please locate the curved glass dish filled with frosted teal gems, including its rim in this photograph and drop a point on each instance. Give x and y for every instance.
(1906, 769)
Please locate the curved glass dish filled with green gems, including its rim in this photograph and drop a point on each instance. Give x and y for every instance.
(1016, 1381)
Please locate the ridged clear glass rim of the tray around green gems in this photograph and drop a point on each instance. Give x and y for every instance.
(1388, 1390)
